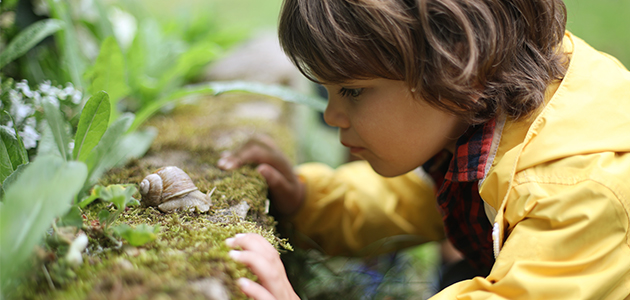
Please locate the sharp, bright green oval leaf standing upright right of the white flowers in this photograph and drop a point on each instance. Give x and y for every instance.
(92, 125)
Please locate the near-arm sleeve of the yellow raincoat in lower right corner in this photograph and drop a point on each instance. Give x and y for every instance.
(566, 240)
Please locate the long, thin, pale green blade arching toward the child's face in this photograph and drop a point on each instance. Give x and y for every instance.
(216, 88)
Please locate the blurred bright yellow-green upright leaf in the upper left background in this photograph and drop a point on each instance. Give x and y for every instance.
(108, 74)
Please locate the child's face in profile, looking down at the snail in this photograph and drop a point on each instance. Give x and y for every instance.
(381, 122)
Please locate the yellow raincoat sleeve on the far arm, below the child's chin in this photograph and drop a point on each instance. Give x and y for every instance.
(354, 211)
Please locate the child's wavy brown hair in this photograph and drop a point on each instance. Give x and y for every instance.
(474, 58)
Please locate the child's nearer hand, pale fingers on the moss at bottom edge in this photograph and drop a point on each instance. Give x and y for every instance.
(264, 261)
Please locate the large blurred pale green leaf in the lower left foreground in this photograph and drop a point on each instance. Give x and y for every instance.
(42, 193)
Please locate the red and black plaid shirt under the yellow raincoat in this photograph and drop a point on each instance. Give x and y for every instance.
(465, 221)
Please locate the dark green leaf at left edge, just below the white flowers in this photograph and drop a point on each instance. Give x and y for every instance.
(12, 151)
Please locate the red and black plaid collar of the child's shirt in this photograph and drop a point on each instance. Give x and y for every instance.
(471, 154)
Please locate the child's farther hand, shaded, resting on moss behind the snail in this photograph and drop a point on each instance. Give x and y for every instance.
(285, 190)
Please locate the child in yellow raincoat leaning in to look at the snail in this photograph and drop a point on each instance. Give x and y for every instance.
(522, 128)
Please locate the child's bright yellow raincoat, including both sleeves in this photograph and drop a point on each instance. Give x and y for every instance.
(557, 191)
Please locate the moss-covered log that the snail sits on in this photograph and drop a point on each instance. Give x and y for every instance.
(189, 259)
